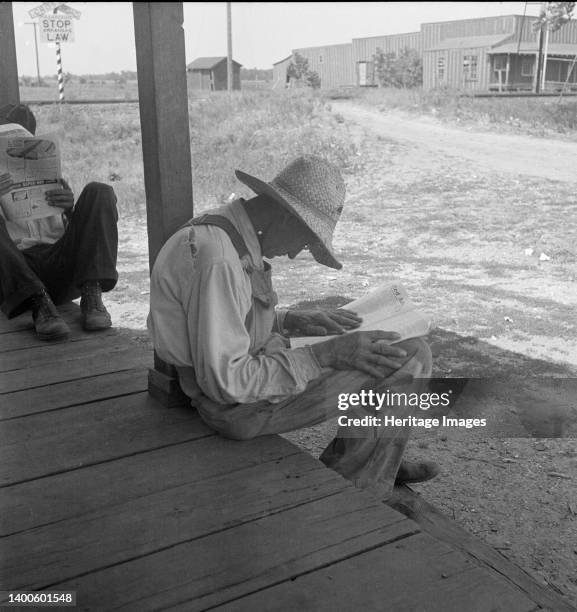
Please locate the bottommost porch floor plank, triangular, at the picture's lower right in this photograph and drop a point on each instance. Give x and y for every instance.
(415, 574)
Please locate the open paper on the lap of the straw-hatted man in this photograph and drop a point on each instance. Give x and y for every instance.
(387, 308)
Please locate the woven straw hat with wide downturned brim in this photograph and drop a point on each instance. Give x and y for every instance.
(313, 190)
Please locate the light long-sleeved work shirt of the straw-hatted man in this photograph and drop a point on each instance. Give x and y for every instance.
(204, 320)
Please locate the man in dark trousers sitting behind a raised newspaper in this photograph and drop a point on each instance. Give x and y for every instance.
(58, 258)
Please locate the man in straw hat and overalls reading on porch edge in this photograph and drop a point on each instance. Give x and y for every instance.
(212, 315)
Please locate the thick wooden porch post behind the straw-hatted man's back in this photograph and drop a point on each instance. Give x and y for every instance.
(163, 101)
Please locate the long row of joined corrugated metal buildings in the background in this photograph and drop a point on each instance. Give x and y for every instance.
(489, 53)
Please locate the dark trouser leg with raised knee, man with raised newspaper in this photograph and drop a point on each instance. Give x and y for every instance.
(86, 252)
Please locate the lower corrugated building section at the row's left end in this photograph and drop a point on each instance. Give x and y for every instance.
(333, 63)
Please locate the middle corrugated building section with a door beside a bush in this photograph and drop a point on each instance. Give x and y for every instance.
(364, 50)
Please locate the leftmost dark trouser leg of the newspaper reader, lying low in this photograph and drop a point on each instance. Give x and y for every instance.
(18, 282)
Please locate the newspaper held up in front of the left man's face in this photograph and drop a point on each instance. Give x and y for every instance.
(33, 166)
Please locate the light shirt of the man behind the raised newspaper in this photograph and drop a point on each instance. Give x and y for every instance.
(46, 230)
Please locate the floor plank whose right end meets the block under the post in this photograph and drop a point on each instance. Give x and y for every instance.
(53, 442)
